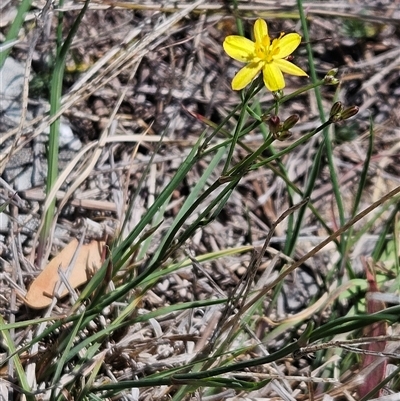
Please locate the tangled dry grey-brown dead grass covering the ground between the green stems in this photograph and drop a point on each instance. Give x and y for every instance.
(142, 82)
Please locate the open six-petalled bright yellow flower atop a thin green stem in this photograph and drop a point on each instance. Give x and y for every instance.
(270, 57)
